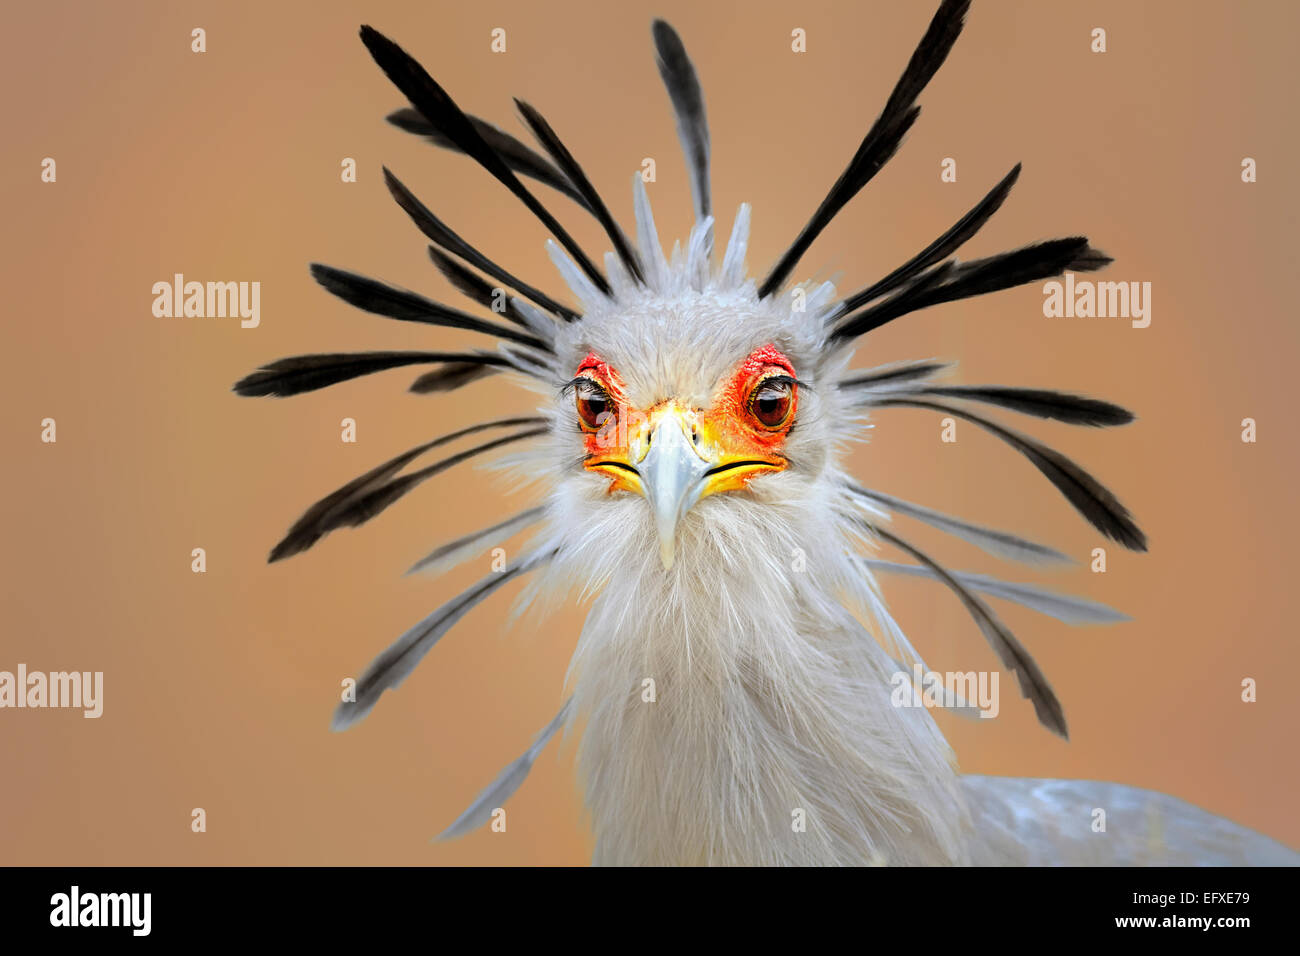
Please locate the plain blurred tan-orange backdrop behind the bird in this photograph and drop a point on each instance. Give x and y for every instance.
(226, 166)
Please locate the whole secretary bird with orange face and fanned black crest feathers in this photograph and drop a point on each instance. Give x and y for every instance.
(691, 447)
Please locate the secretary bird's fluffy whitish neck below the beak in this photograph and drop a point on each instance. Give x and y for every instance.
(751, 723)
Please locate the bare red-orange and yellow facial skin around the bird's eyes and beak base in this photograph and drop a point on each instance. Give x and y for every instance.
(731, 435)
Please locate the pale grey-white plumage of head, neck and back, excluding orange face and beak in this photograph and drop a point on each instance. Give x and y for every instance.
(772, 700)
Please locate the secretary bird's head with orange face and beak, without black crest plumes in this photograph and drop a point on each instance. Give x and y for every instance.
(713, 405)
